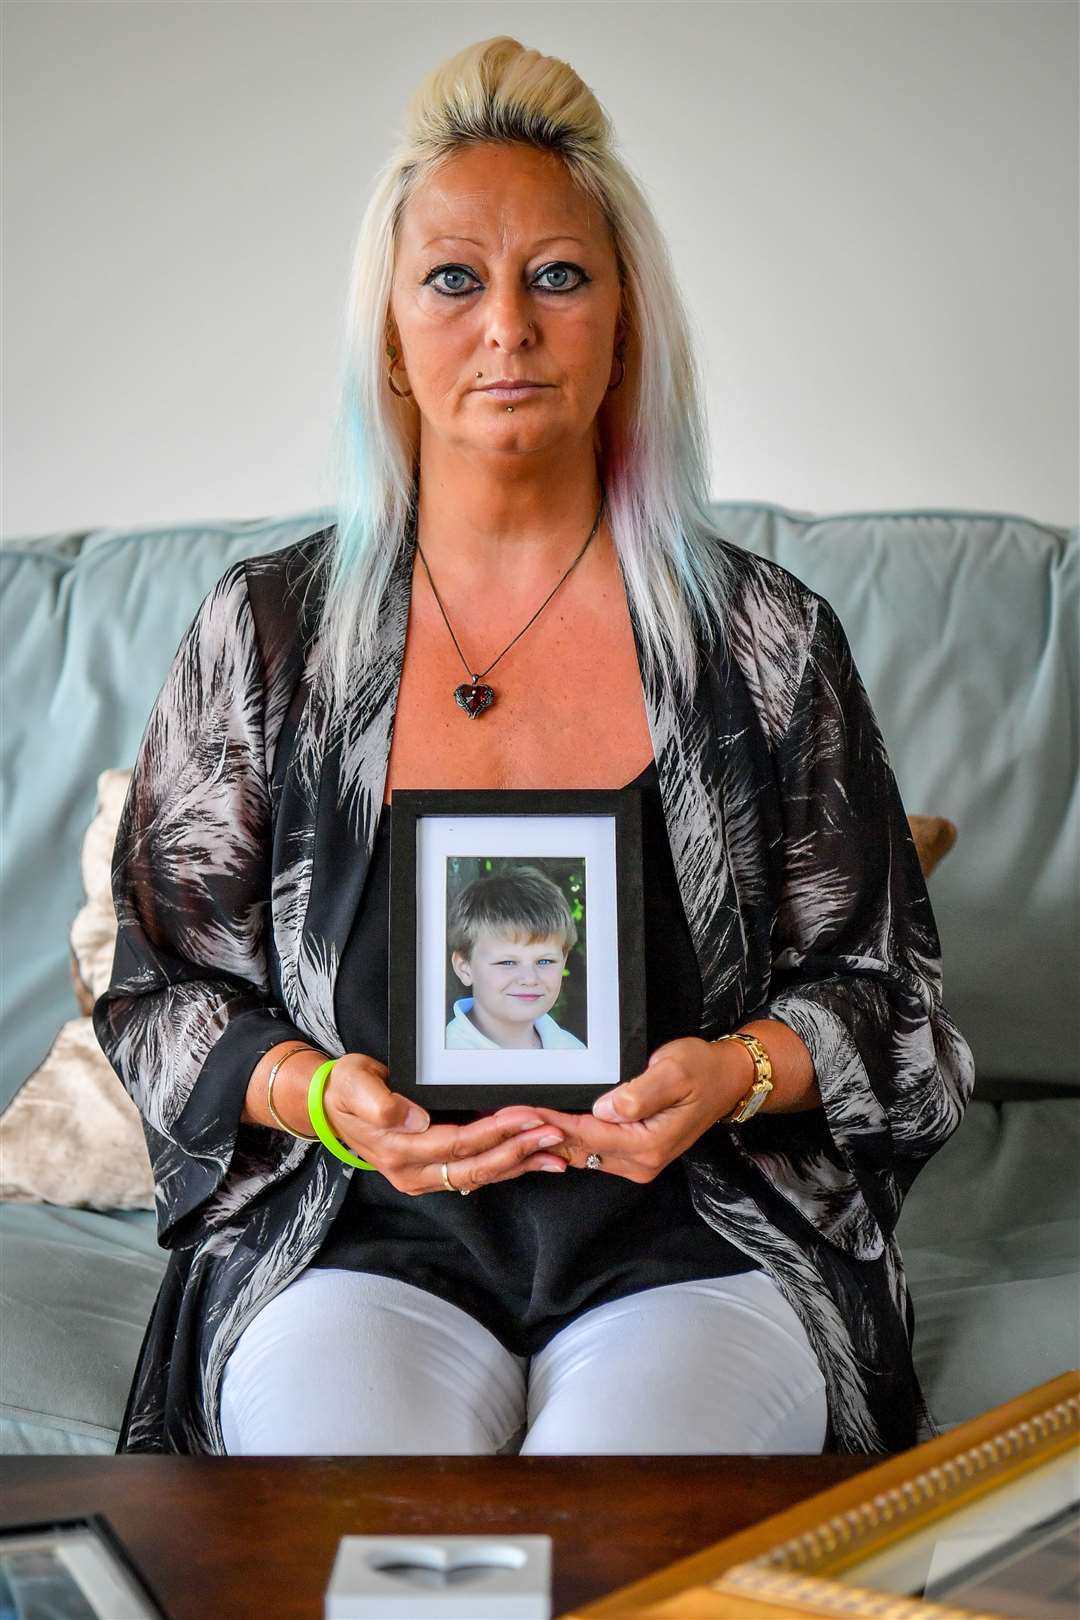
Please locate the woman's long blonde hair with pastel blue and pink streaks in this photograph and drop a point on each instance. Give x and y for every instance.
(650, 433)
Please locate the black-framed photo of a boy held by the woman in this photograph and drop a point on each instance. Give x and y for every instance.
(488, 887)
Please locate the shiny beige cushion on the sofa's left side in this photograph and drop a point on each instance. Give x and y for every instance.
(72, 1135)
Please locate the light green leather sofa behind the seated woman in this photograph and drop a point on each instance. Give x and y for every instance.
(966, 631)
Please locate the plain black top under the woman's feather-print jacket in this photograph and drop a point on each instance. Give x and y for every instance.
(527, 1256)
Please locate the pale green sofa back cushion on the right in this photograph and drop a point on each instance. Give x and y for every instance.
(964, 629)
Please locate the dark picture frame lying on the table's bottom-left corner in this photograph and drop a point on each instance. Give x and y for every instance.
(72, 1566)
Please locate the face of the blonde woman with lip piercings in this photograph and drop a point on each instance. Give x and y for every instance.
(504, 268)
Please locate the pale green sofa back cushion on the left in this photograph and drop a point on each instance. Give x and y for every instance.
(90, 626)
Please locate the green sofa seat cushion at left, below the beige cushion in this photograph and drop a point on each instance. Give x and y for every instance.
(77, 1290)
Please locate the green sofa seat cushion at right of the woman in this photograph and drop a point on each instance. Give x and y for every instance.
(992, 1243)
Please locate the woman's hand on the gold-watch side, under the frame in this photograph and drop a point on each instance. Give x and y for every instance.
(686, 1088)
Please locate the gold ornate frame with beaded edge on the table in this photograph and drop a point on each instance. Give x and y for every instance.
(784, 1566)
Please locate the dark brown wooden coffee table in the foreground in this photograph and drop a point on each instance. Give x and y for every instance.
(253, 1538)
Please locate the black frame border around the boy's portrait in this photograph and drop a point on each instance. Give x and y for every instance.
(623, 809)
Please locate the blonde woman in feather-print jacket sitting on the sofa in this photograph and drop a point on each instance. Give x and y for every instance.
(524, 590)
